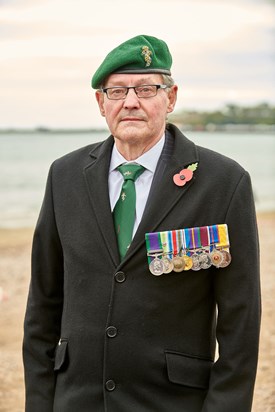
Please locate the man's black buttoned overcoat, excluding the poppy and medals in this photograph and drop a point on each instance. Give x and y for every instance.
(101, 335)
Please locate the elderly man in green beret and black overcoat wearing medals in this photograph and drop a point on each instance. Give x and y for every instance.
(144, 255)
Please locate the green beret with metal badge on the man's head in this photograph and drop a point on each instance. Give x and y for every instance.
(141, 54)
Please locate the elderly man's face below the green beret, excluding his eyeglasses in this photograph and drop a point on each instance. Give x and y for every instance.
(134, 120)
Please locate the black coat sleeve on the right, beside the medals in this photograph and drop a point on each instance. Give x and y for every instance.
(237, 289)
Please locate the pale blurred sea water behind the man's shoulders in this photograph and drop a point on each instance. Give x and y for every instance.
(25, 159)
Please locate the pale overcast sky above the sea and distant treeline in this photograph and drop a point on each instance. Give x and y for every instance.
(223, 52)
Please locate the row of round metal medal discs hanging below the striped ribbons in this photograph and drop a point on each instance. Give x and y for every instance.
(198, 260)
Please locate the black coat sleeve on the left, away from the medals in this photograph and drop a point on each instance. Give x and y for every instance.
(44, 309)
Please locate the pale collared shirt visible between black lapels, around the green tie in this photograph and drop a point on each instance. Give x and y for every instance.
(143, 183)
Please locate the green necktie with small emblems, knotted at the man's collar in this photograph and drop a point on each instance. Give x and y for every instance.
(125, 208)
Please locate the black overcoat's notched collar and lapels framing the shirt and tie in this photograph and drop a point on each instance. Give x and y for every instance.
(178, 153)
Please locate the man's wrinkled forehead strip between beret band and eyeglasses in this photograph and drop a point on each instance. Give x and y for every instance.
(121, 79)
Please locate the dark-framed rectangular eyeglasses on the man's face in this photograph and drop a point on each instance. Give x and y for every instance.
(144, 91)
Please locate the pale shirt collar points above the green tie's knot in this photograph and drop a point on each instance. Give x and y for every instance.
(148, 159)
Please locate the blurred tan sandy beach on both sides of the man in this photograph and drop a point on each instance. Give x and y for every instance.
(15, 247)
